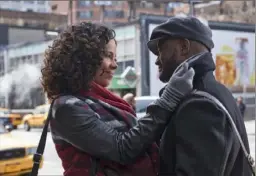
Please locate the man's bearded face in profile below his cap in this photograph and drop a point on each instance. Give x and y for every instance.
(168, 59)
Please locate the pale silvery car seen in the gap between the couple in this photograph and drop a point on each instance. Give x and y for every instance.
(142, 104)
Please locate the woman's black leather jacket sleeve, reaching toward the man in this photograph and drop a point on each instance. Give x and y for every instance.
(80, 126)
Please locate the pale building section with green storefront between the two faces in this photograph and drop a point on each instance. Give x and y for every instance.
(127, 60)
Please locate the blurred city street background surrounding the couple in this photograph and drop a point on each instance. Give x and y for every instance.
(29, 27)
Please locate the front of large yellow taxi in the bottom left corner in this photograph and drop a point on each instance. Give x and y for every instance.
(16, 154)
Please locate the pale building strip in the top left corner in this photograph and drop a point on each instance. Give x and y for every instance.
(26, 6)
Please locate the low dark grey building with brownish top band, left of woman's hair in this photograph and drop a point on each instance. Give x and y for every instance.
(19, 27)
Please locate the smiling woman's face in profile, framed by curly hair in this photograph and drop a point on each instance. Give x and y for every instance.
(108, 66)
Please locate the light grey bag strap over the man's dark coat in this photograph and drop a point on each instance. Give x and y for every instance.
(249, 158)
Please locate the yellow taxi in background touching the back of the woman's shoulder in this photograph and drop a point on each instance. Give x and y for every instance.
(37, 118)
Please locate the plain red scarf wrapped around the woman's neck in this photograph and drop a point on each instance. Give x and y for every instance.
(105, 95)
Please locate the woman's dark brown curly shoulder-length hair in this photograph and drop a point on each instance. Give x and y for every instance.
(71, 62)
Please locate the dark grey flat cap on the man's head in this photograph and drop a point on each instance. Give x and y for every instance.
(181, 27)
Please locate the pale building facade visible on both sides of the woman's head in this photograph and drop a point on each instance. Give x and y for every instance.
(15, 56)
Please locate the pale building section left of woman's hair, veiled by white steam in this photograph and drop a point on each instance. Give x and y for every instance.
(14, 57)
